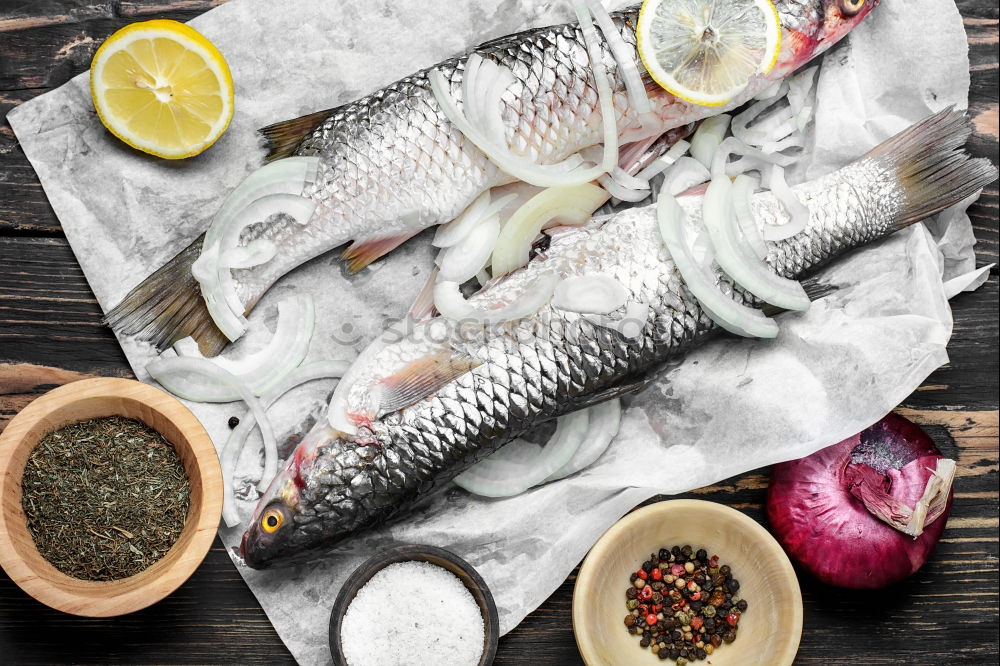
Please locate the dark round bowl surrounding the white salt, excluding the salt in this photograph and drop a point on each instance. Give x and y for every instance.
(442, 558)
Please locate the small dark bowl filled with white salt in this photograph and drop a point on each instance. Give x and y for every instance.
(414, 605)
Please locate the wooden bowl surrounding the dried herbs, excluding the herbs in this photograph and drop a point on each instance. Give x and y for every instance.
(93, 398)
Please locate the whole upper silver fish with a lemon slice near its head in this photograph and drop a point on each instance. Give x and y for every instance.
(392, 164)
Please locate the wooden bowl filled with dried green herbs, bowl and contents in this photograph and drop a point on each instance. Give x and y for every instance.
(110, 496)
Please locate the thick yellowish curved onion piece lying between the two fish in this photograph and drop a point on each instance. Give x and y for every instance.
(566, 205)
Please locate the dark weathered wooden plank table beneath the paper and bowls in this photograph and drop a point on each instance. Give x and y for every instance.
(50, 334)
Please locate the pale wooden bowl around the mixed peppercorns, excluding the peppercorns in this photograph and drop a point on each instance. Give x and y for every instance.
(770, 629)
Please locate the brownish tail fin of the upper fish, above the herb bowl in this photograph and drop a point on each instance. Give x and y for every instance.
(167, 306)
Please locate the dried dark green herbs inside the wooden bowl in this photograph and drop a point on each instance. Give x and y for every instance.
(105, 498)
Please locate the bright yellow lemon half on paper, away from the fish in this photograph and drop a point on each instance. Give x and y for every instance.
(162, 88)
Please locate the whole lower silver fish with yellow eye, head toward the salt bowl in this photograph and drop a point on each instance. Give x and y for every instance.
(483, 386)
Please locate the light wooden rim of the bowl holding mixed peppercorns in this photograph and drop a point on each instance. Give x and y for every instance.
(693, 511)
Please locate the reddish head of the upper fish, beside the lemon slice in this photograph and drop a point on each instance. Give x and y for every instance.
(810, 27)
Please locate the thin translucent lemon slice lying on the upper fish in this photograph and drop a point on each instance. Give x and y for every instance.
(706, 51)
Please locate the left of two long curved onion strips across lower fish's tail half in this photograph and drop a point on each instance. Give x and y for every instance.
(726, 312)
